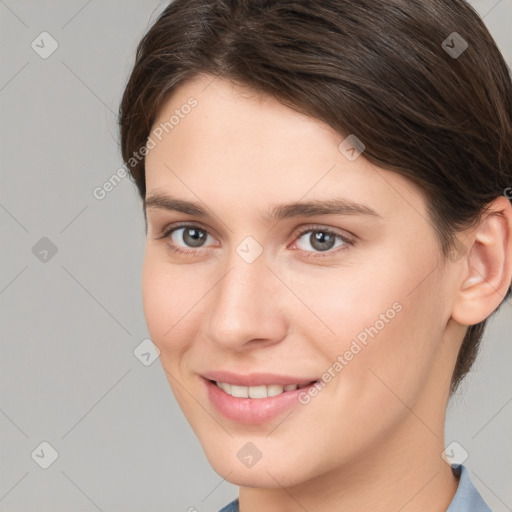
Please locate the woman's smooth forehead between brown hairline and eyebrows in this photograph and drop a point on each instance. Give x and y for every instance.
(240, 147)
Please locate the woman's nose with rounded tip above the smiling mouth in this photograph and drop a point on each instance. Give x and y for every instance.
(248, 306)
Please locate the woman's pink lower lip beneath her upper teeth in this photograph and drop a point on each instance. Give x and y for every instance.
(252, 411)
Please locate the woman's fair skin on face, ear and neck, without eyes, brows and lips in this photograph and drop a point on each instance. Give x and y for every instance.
(372, 439)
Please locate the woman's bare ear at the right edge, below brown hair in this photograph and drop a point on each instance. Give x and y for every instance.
(486, 268)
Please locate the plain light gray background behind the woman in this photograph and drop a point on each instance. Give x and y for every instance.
(70, 324)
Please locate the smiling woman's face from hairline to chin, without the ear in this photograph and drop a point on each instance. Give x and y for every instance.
(359, 295)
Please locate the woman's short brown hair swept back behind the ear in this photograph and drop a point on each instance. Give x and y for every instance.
(379, 69)
